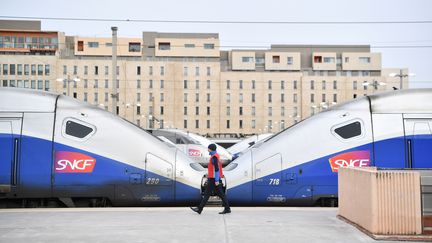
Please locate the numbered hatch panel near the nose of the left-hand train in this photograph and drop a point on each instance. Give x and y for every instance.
(159, 179)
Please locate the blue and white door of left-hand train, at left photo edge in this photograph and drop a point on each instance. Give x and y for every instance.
(10, 135)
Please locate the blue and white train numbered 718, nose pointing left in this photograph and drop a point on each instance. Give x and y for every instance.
(299, 165)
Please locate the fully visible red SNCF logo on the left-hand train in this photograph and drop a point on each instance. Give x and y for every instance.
(72, 162)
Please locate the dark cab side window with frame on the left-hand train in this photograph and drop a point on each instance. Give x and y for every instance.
(76, 129)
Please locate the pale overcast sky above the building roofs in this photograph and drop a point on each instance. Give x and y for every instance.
(382, 37)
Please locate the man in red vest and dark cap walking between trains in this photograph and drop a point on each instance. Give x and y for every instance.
(214, 182)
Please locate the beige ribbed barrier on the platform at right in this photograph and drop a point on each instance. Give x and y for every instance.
(384, 202)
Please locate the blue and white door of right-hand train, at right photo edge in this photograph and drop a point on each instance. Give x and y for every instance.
(418, 139)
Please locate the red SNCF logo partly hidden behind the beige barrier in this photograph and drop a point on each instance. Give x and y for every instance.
(350, 159)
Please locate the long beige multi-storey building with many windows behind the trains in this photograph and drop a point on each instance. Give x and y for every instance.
(185, 81)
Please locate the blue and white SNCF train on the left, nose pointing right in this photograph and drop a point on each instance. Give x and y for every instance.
(57, 151)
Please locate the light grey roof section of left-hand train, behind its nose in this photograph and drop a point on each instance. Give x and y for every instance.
(26, 100)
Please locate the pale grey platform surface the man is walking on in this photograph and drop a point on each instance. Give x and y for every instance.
(180, 224)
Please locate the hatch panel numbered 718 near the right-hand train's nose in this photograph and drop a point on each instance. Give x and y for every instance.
(268, 186)
